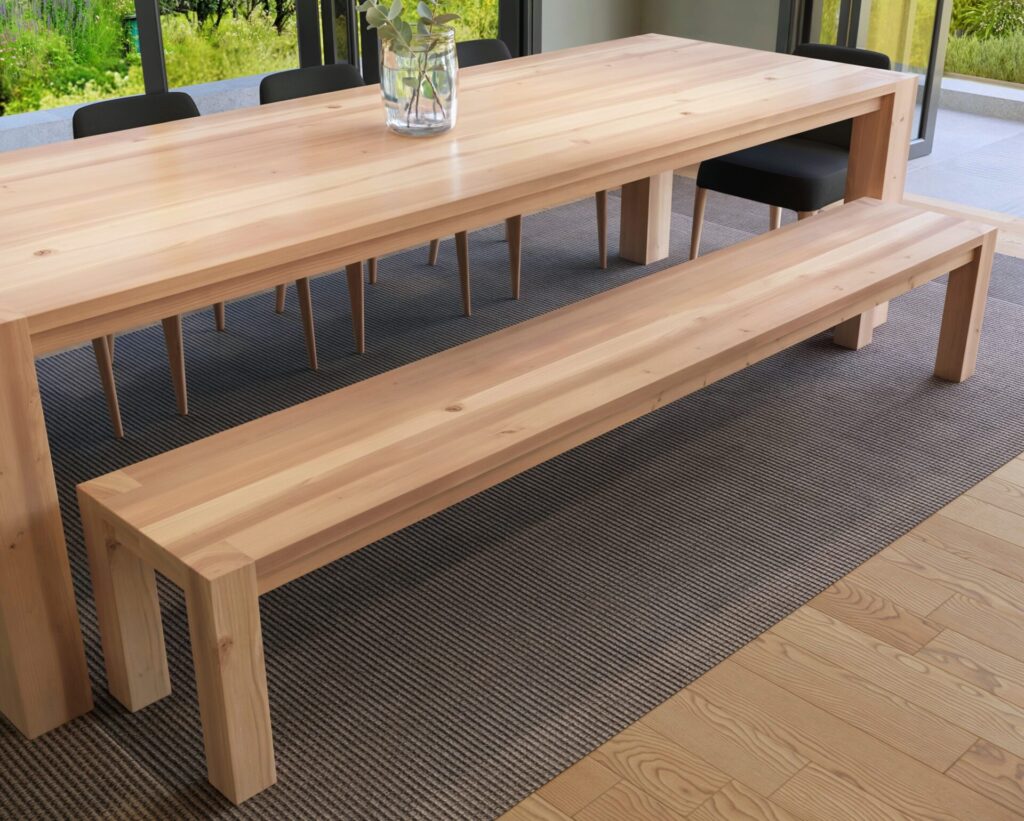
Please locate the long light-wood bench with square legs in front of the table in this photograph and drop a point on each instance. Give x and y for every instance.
(239, 514)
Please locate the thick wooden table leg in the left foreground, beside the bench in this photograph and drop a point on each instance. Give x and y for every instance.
(44, 678)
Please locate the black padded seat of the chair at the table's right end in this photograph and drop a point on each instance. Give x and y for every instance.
(796, 174)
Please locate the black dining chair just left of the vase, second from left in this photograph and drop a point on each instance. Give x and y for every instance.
(294, 84)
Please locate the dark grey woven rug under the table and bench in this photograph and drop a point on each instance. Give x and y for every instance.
(451, 670)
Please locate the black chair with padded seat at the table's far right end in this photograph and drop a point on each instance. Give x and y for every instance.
(803, 174)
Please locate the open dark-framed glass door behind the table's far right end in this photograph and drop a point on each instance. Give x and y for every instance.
(913, 33)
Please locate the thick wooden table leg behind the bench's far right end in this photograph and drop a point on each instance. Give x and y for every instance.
(879, 153)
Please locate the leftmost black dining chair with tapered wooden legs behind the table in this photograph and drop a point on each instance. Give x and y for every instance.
(118, 115)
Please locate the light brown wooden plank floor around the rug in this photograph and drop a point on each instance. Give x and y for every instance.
(898, 694)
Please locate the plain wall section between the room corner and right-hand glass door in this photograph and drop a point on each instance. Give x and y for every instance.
(744, 23)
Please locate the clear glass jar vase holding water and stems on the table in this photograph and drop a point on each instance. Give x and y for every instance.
(419, 84)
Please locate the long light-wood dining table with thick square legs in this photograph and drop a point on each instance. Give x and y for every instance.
(116, 232)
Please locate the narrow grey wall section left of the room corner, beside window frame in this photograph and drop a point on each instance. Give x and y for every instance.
(577, 23)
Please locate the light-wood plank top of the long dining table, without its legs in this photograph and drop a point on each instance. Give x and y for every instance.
(247, 199)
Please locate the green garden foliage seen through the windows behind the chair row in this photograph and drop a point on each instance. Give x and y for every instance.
(59, 53)
